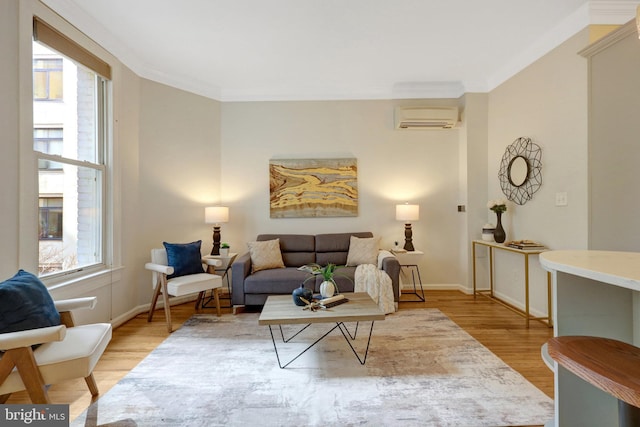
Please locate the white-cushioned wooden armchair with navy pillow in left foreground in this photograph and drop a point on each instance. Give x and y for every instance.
(40, 341)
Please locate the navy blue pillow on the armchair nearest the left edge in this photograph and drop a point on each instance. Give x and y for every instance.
(25, 303)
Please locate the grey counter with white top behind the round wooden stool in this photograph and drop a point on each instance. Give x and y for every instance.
(594, 293)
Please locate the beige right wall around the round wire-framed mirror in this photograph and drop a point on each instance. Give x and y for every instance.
(546, 102)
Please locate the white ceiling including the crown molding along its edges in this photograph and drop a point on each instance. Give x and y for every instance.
(237, 50)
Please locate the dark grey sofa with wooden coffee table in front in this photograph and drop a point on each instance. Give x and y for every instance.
(298, 250)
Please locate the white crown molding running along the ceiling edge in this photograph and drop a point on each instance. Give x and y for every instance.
(592, 12)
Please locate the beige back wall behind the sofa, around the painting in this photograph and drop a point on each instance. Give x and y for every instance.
(393, 167)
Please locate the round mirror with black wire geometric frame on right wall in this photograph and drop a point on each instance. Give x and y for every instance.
(520, 170)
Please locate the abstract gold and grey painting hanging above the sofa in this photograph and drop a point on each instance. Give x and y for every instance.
(304, 188)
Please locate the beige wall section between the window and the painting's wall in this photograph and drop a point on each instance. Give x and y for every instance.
(178, 173)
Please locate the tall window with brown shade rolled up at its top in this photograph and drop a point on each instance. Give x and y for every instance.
(71, 163)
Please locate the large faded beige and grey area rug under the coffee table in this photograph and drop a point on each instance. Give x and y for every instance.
(421, 370)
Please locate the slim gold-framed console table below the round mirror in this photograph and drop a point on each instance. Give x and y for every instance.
(489, 292)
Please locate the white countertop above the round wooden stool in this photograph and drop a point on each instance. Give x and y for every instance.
(617, 268)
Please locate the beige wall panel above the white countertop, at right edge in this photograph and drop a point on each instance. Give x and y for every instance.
(613, 141)
